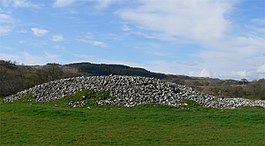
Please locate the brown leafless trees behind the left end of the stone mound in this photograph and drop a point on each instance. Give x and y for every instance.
(14, 78)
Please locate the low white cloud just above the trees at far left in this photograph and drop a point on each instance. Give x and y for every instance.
(29, 59)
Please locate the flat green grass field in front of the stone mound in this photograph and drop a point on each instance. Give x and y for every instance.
(30, 123)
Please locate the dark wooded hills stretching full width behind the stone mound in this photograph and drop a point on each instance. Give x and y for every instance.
(14, 78)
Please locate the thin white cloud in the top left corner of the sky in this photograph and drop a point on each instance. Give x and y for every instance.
(18, 3)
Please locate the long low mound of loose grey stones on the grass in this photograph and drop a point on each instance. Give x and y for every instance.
(131, 91)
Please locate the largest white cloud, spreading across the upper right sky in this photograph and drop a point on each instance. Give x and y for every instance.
(206, 24)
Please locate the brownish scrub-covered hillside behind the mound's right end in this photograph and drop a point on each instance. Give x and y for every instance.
(224, 88)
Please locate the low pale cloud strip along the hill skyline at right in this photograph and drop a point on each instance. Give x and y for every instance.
(175, 67)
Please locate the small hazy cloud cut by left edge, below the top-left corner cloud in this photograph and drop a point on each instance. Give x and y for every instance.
(7, 23)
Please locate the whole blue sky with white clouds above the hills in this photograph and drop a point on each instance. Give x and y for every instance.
(203, 38)
